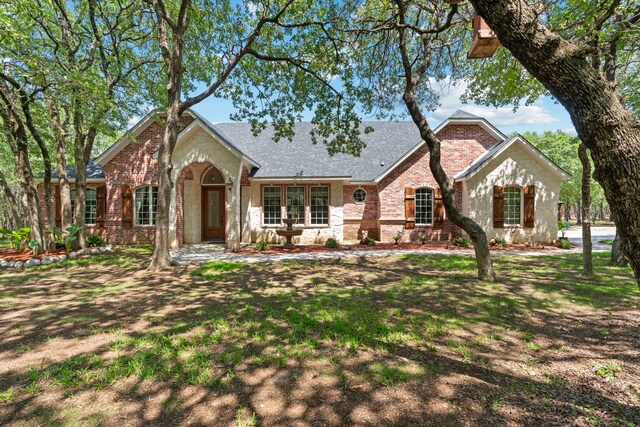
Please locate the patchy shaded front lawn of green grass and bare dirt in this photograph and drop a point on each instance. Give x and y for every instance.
(400, 340)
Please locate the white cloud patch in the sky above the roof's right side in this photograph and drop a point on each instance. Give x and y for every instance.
(450, 96)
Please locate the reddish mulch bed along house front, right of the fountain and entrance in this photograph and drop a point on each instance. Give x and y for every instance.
(279, 249)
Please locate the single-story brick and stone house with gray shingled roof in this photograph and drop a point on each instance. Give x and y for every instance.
(234, 187)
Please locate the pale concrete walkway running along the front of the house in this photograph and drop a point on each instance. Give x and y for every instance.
(204, 252)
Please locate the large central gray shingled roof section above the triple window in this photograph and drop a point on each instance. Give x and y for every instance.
(389, 142)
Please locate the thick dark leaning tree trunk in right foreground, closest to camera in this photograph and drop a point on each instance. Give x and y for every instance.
(605, 126)
